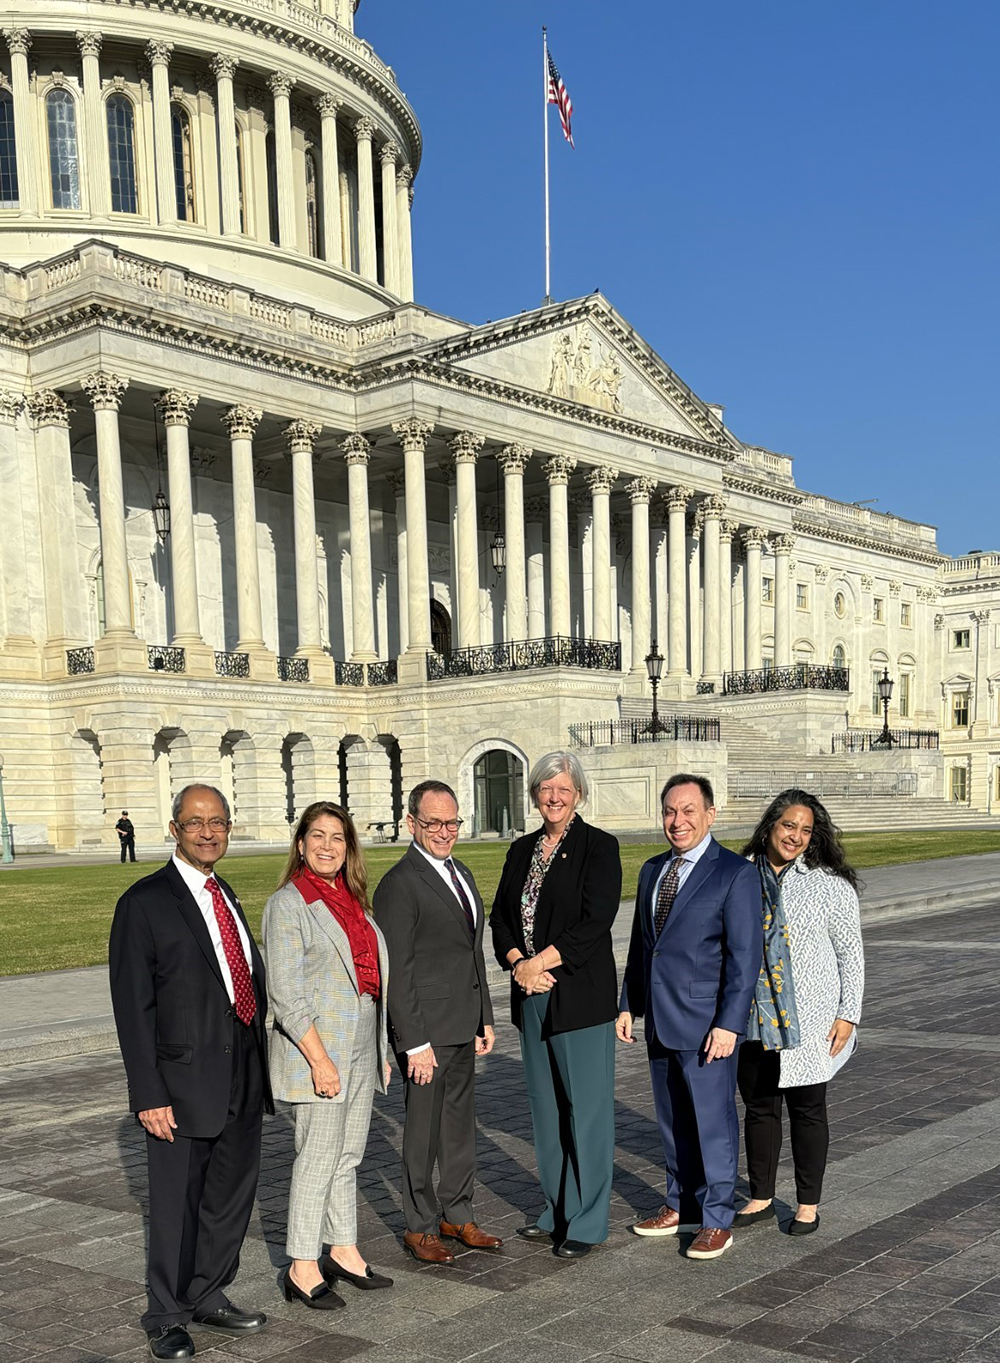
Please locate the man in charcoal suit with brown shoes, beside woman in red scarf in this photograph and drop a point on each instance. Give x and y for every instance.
(441, 1019)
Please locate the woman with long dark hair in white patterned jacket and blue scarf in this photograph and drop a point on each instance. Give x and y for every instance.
(809, 1000)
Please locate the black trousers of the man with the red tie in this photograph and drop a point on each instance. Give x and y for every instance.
(201, 1200)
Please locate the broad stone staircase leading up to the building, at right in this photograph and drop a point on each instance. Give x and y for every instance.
(761, 767)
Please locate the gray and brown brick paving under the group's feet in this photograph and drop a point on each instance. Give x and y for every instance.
(905, 1267)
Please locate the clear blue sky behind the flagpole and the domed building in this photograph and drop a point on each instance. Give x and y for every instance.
(796, 202)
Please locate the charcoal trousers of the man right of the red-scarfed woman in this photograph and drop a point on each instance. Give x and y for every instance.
(441, 1127)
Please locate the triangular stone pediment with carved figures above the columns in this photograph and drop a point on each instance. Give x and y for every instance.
(584, 356)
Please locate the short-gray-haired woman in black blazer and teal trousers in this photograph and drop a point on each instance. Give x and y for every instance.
(552, 930)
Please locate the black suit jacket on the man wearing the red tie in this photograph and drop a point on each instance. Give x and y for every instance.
(172, 1008)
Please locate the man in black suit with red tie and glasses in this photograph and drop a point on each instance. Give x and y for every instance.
(190, 1004)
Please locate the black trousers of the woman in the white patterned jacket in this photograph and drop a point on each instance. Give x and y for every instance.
(758, 1073)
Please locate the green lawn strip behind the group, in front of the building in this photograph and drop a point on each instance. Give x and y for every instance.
(54, 919)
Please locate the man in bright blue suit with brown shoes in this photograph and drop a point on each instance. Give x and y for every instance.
(693, 963)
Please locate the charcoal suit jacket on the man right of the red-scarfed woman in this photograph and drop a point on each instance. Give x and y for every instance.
(438, 993)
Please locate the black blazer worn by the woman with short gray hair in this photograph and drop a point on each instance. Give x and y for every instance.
(577, 906)
